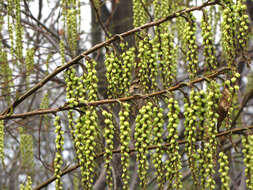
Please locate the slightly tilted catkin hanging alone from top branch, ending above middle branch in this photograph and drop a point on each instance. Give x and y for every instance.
(209, 50)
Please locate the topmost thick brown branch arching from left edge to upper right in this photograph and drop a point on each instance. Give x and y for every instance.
(98, 46)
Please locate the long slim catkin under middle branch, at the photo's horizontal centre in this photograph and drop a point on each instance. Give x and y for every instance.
(125, 130)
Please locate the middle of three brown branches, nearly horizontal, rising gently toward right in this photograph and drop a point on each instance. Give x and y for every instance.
(124, 99)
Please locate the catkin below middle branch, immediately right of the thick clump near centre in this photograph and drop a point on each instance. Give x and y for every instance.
(158, 124)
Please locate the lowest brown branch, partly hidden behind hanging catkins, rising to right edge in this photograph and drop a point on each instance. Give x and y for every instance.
(66, 171)
